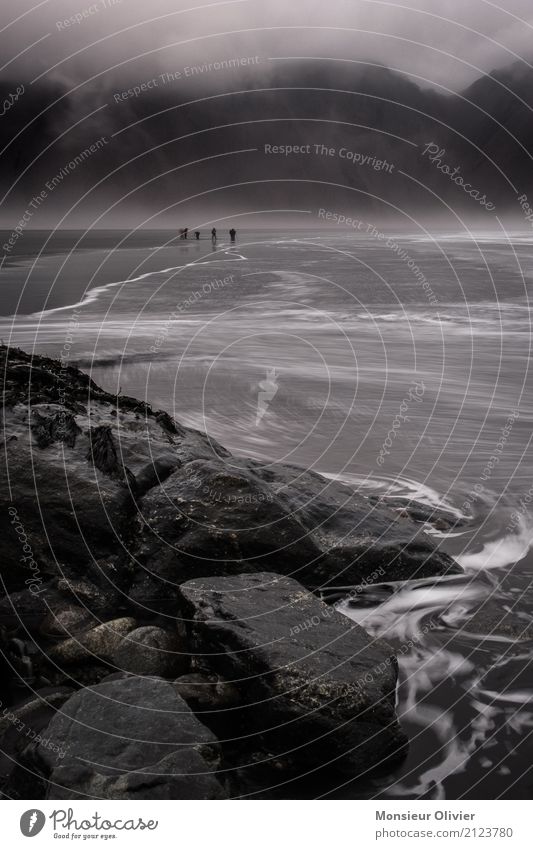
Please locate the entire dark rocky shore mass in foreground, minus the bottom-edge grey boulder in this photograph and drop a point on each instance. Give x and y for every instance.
(169, 583)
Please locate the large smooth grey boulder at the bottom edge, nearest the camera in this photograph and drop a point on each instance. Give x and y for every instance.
(130, 738)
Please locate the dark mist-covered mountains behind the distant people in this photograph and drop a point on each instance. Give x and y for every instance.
(177, 138)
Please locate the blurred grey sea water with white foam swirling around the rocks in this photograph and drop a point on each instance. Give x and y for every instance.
(400, 365)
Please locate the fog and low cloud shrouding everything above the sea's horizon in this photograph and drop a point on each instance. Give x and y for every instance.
(187, 94)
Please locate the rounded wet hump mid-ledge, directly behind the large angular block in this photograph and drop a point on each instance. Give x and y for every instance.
(206, 518)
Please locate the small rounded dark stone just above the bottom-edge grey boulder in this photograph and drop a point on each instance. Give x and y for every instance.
(152, 651)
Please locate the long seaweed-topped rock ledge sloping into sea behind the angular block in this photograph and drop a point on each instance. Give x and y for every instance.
(123, 494)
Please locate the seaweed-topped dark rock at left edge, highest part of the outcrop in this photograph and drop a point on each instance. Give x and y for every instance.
(74, 499)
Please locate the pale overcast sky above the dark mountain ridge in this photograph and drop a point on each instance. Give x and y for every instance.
(446, 42)
